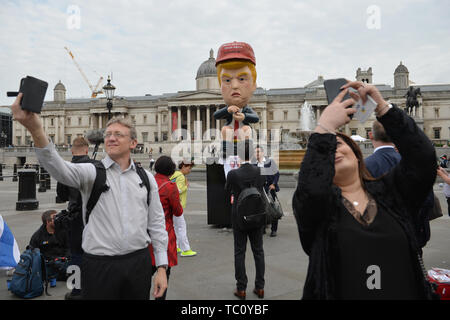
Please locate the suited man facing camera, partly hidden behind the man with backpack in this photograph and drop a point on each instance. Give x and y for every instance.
(269, 171)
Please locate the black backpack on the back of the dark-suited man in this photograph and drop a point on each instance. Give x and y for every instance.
(251, 208)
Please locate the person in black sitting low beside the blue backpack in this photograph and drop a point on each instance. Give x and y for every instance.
(54, 246)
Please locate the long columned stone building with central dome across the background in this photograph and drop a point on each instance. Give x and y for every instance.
(157, 117)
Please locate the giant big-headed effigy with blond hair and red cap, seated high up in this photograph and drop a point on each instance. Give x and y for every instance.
(237, 78)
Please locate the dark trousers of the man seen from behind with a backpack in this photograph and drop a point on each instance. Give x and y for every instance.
(240, 247)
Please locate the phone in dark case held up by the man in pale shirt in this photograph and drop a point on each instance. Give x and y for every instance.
(34, 91)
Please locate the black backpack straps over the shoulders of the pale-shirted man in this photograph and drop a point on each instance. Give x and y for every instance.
(100, 185)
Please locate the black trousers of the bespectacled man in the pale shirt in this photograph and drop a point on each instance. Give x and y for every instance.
(126, 277)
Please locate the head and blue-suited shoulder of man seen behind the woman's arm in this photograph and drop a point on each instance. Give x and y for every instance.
(384, 156)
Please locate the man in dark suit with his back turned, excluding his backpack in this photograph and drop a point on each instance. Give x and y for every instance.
(237, 180)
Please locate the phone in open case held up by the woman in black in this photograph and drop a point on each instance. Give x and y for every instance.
(363, 110)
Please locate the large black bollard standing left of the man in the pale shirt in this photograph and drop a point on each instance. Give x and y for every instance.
(27, 191)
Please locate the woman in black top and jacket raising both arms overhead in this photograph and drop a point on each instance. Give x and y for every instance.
(359, 231)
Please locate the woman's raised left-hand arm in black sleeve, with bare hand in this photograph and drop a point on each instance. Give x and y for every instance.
(314, 198)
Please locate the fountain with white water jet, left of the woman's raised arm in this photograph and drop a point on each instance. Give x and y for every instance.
(293, 147)
